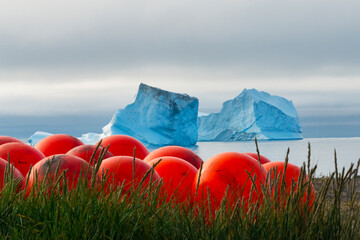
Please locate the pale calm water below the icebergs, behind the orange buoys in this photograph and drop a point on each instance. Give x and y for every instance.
(322, 151)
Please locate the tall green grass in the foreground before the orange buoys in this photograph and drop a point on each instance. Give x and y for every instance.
(85, 214)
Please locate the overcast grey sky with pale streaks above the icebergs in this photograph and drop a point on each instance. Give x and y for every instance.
(89, 57)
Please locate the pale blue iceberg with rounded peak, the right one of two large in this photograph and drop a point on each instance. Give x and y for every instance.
(251, 114)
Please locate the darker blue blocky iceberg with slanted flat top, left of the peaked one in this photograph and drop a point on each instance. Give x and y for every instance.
(157, 117)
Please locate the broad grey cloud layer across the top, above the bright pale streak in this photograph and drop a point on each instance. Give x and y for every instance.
(256, 38)
